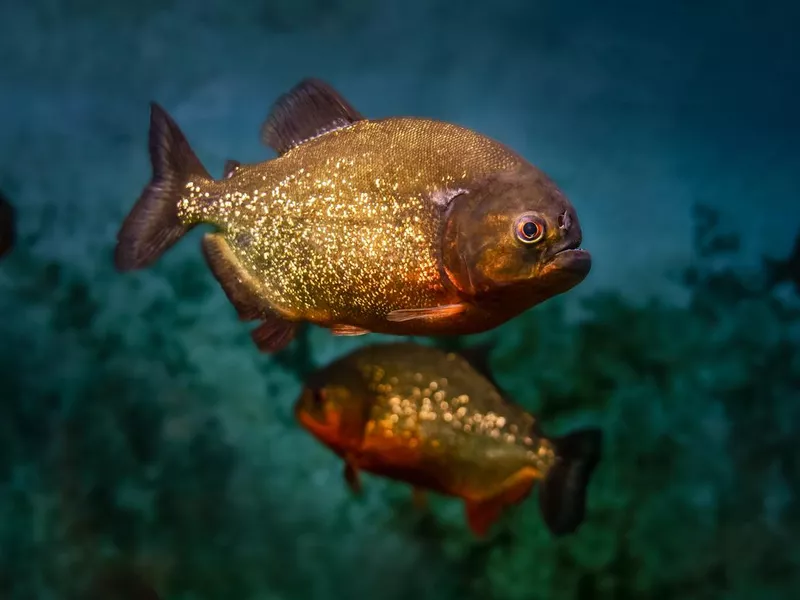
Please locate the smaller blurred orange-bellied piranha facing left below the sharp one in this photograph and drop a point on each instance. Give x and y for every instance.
(431, 419)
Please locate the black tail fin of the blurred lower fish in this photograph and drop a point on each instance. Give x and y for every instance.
(562, 494)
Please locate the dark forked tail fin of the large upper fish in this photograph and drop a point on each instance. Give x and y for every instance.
(153, 224)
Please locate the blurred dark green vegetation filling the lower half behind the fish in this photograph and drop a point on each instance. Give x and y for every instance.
(154, 436)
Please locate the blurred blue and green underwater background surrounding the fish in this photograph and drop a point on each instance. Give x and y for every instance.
(141, 429)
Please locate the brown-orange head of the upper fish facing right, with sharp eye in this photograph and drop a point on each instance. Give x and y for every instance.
(513, 237)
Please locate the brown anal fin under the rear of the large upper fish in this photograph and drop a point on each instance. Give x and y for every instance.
(275, 332)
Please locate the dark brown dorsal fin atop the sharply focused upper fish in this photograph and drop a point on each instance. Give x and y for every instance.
(308, 110)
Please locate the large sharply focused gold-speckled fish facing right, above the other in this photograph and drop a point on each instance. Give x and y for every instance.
(401, 225)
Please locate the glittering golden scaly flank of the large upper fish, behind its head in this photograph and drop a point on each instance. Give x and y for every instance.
(321, 264)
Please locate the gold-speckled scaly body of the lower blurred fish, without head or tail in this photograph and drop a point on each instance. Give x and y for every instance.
(452, 424)
